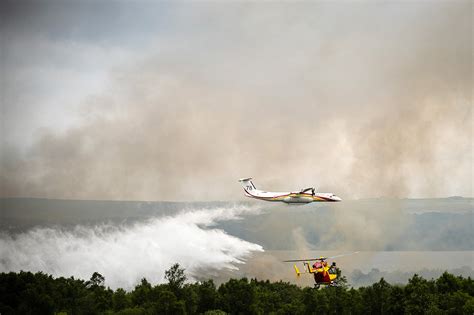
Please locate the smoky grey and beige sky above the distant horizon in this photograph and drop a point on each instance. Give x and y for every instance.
(176, 101)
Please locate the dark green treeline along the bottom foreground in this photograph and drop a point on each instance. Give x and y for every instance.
(28, 293)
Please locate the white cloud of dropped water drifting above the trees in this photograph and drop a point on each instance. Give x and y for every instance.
(125, 254)
